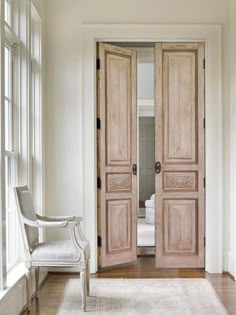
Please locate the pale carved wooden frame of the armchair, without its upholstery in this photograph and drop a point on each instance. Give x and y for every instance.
(80, 242)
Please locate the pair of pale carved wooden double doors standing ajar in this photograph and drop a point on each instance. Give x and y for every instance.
(179, 152)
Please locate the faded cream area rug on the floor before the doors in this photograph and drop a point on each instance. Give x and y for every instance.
(143, 296)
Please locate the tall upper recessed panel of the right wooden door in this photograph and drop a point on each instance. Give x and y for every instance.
(179, 103)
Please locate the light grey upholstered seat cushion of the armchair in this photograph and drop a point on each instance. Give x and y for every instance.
(55, 251)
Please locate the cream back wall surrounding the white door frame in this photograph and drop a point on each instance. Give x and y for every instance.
(64, 109)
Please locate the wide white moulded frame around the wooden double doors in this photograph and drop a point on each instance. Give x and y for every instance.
(211, 35)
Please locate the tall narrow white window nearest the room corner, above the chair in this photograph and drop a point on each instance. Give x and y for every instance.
(35, 122)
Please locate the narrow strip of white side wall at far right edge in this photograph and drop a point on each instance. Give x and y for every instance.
(230, 145)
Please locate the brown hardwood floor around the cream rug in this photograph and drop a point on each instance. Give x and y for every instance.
(51, 293)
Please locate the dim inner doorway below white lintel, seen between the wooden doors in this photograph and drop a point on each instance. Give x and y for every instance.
(146, 178)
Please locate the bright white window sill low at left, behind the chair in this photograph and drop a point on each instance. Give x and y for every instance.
(13, 277)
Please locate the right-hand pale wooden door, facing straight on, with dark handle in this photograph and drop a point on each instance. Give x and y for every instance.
(179, 116)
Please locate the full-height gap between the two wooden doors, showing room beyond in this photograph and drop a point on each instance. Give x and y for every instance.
(146, 151)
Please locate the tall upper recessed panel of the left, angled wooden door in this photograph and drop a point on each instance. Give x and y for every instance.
(119, 113)
